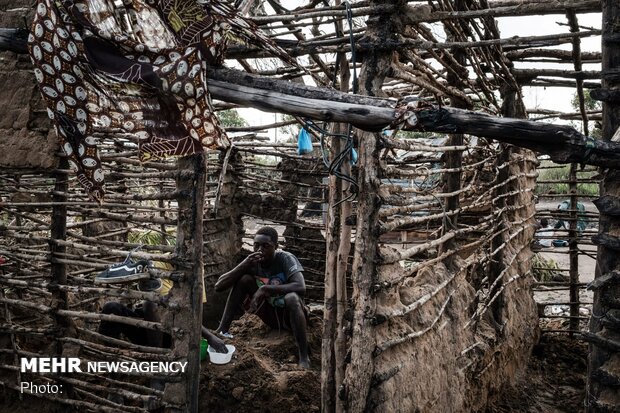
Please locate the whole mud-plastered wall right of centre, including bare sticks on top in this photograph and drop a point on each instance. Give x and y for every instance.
(455, 319)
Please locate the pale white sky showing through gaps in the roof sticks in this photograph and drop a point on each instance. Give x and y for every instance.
(553, 98)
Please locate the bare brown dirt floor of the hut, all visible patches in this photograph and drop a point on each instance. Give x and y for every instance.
(263, 376)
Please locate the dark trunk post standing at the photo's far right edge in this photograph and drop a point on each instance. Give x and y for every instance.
(604, 336)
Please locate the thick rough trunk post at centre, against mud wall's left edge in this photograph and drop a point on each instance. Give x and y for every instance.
(359, 374)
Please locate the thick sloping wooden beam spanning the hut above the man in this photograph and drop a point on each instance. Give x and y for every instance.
(562, 143)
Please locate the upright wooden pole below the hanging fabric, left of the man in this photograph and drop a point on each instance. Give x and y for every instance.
(188, 293)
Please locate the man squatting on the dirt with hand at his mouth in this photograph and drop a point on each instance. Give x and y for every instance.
(270, 284)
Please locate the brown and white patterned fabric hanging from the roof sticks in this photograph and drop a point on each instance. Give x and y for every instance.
(132, 67)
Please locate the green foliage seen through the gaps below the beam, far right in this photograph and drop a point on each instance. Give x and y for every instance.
(555, 172)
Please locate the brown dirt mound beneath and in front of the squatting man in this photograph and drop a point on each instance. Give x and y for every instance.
(263, 375)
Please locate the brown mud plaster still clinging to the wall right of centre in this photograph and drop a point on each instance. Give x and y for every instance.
(453, 339)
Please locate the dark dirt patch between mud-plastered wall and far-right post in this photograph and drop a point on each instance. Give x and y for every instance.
(554, 382)
